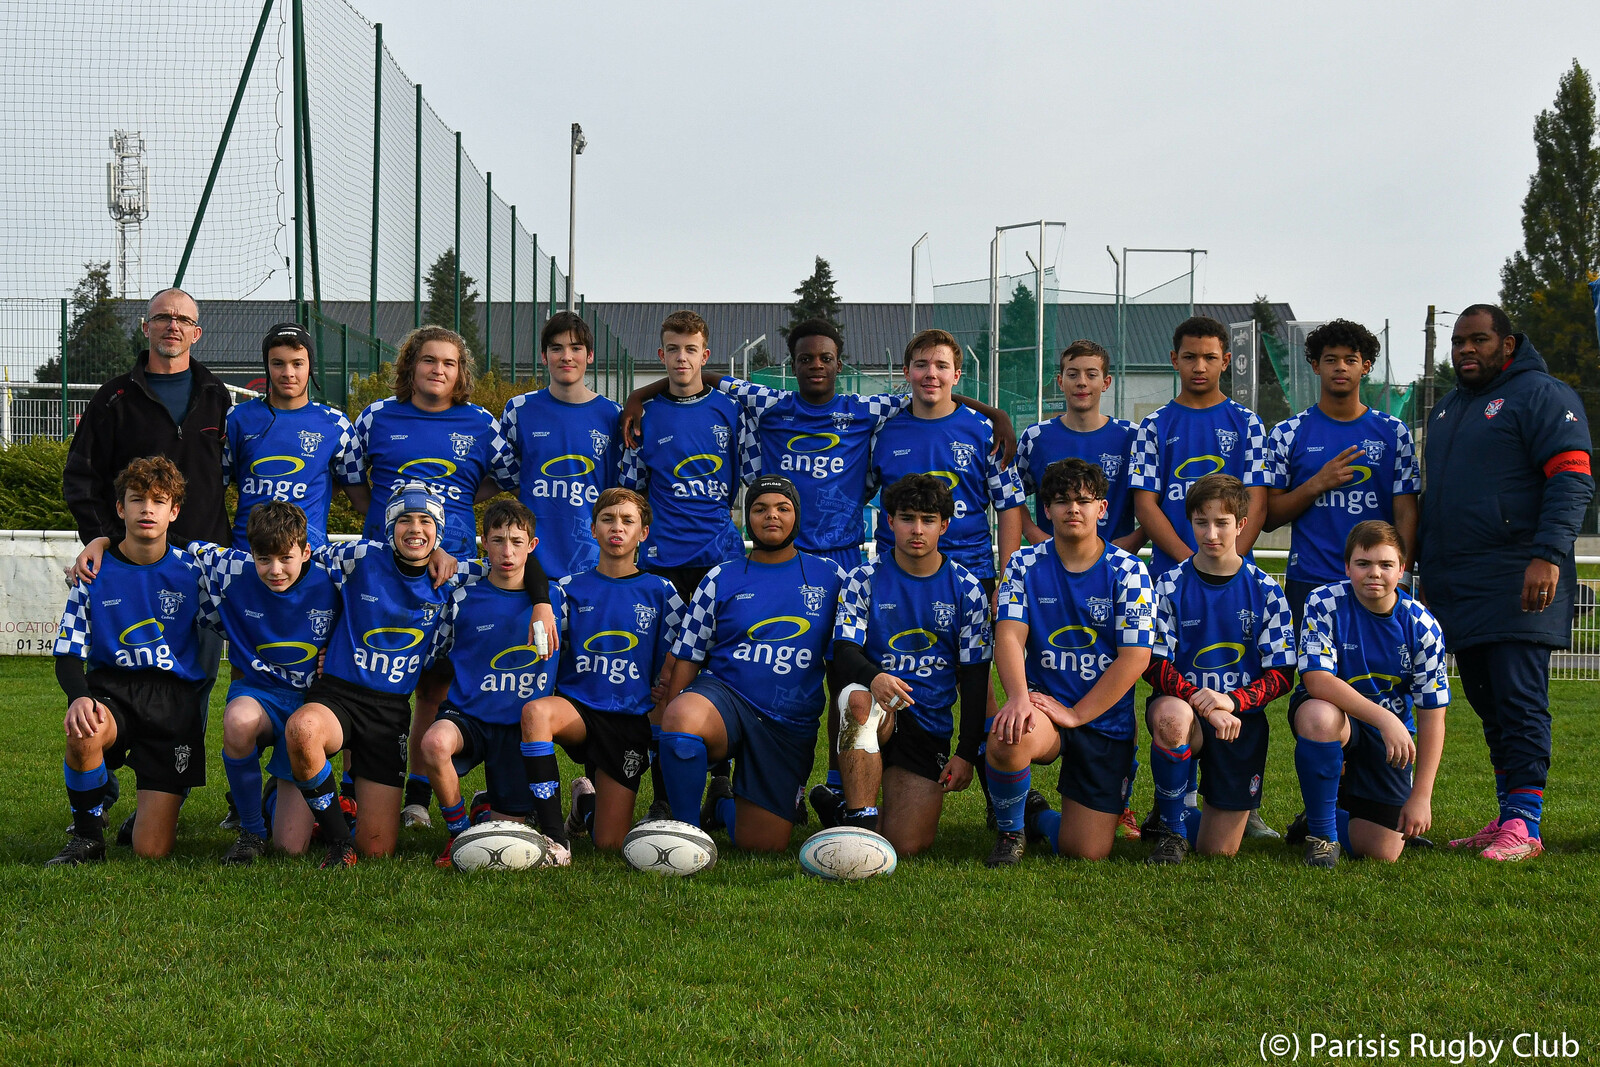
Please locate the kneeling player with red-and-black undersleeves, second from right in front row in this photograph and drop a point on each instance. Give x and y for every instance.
(1223, 653)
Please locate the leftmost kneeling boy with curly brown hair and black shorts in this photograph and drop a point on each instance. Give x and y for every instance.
(135, 629)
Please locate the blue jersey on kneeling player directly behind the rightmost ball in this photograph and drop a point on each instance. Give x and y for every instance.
(918, 629)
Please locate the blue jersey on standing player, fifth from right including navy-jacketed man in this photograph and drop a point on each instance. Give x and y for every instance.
(956, 449)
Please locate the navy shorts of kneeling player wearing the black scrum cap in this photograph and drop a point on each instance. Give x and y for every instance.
(772, 761)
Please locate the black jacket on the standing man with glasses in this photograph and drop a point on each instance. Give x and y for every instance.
(126, 422)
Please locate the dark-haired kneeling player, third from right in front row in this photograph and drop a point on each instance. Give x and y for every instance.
(1074, 634)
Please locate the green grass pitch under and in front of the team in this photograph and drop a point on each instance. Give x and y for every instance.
(182, 962)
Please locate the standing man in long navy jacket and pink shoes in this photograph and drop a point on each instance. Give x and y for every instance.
(1508, 486)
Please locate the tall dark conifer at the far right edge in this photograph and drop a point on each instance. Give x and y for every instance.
(1545, 287)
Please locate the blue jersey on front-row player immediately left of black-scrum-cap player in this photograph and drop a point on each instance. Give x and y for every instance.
(615, 637)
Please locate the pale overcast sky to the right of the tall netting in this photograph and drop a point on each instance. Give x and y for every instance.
(1358, 161)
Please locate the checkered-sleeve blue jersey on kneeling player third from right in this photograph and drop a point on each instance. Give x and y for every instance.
(1079, 621)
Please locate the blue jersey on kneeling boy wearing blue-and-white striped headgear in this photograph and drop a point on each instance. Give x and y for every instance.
(388, 618)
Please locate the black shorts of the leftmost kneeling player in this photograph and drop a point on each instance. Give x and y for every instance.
(161, 727)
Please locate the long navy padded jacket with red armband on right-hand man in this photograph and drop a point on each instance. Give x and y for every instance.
(1489, 508)
